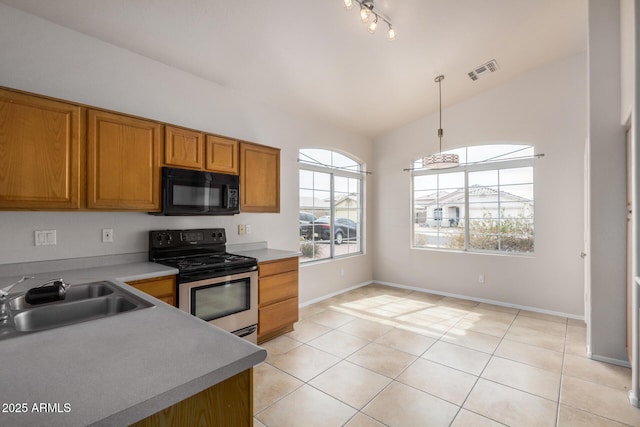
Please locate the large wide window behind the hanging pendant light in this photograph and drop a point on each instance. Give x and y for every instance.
(484, 205)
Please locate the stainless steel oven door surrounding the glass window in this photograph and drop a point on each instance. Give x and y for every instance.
(229, 302)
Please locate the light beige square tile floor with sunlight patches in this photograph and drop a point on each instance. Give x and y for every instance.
(385, 356)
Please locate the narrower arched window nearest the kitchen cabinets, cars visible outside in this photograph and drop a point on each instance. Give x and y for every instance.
(331, 208)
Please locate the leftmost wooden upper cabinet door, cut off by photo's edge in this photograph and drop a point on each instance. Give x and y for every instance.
(40, 152)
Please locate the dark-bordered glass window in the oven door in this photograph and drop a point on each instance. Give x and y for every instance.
(211, 302)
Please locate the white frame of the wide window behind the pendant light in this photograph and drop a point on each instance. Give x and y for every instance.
(469, 168)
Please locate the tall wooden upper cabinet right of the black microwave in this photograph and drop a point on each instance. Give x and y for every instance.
(259, 178)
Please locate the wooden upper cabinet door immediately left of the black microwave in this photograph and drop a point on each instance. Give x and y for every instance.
(123, 162)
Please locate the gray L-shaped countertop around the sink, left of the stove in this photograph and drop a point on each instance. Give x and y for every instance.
(119, 369)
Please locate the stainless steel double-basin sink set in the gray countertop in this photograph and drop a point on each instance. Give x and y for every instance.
(84, 302)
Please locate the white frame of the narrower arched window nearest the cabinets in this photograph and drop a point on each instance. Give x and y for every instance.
(334, 172)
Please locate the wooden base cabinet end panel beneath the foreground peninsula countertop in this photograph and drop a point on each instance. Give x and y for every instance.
(229, 403)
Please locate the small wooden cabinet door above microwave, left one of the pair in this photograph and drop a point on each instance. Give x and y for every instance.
(183, 147)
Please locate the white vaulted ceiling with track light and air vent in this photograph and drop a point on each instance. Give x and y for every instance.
(314, 58)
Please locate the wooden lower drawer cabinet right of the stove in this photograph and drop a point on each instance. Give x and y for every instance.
(277, 297)
